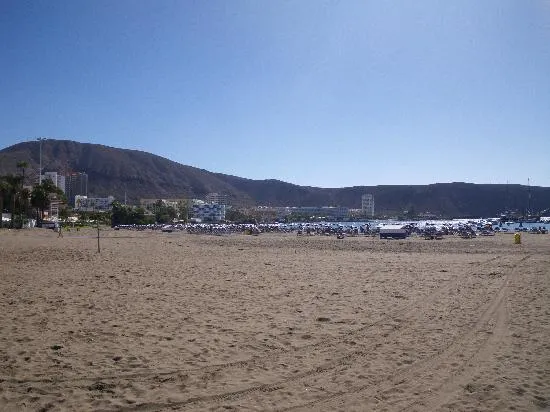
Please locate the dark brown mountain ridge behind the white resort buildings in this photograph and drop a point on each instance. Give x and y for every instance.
(137, 174)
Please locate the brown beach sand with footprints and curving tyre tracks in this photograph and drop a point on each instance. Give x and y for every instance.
(172, 321)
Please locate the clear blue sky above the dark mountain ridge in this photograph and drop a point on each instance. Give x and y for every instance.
(312, 92)
